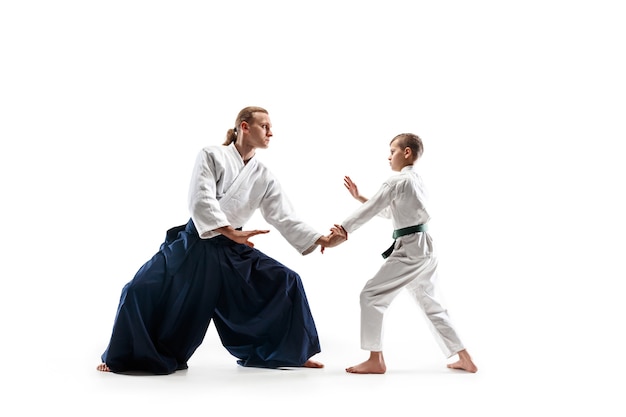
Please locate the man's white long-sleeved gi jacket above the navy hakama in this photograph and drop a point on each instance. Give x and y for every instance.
(226, 191)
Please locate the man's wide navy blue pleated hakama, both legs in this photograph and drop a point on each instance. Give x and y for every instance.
(258, 305)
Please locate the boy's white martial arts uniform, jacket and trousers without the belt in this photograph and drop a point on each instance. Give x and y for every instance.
(412, 264)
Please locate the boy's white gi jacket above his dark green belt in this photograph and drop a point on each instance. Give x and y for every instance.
(401, 197)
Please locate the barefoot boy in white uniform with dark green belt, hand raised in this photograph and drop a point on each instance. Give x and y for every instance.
(410, 263)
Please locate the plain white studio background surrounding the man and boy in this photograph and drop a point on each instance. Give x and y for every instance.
(104, 105)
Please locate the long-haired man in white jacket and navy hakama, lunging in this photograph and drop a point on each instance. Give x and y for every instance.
(209, 270)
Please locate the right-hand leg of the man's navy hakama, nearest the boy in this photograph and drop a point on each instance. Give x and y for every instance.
(263, 316)
